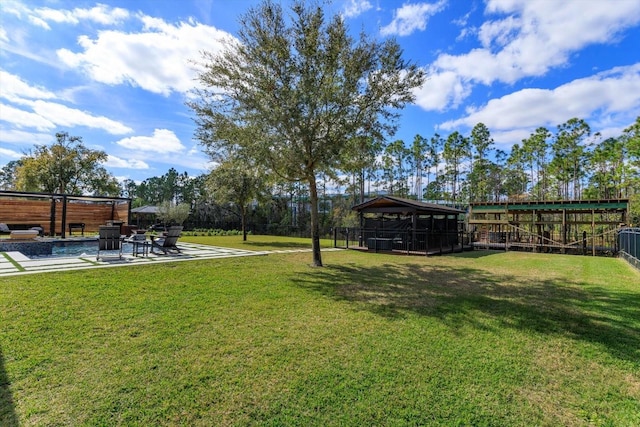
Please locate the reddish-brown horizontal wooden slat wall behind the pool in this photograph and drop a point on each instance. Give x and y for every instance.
(13, 211)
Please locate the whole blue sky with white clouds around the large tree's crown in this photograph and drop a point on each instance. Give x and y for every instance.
(117, 73)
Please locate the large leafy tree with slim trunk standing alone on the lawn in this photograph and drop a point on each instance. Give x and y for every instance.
(296, 89)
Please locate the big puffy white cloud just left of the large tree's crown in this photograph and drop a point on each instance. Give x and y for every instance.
(156, 59)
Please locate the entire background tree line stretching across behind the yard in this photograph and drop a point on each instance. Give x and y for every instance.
(570, 163)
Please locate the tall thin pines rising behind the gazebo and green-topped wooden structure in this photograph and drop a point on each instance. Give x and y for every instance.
(570, 162)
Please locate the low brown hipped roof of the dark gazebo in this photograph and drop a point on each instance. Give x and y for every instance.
(398, 205)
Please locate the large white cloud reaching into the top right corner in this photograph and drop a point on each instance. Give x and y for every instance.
(528, 39)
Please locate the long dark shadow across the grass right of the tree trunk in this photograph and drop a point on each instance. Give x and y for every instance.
(462, 297)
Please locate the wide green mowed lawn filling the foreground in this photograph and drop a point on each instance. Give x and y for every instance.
(480, 338)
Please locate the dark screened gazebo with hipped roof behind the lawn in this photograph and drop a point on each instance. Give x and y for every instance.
(391, 223)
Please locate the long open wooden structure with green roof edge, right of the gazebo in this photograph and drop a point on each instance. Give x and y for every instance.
(587, 227)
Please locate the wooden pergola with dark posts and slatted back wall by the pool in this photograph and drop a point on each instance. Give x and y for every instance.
(55, 212)
